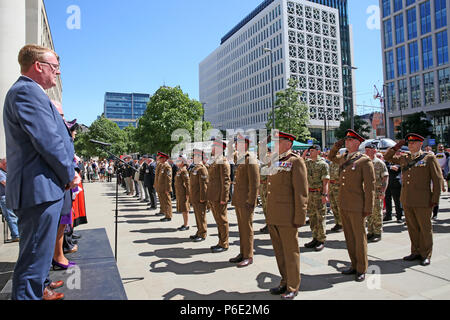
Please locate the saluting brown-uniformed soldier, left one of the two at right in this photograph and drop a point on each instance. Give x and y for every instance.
(356, 197)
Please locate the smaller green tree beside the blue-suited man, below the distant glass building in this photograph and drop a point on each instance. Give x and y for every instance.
(103, 130)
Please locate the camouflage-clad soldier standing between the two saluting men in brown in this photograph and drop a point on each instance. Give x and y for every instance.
(375, 220)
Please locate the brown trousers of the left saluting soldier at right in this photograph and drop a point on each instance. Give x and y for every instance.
(356, 239)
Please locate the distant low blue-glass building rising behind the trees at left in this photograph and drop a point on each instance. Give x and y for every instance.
(125, 108)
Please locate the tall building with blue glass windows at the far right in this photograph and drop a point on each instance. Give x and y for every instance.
(415, 36)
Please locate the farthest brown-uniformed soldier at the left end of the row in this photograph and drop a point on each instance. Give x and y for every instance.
(163, 186)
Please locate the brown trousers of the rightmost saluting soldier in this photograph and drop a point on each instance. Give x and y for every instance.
(420, 230)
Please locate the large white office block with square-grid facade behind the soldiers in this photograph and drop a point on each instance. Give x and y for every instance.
(305, 43)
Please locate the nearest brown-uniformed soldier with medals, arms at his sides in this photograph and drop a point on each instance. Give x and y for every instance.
(287, 201)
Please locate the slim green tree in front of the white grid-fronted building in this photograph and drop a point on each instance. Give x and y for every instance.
(291, 114)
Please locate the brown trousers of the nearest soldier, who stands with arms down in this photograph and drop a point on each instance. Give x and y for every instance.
(287, 252)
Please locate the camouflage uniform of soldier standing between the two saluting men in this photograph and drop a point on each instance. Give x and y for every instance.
(375, 220)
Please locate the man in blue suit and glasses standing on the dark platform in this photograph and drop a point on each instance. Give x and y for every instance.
(40, 152)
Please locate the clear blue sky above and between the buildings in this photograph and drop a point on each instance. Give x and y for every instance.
(139, 45)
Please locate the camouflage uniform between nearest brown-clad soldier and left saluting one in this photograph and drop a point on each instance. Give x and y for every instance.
(317, 172)
